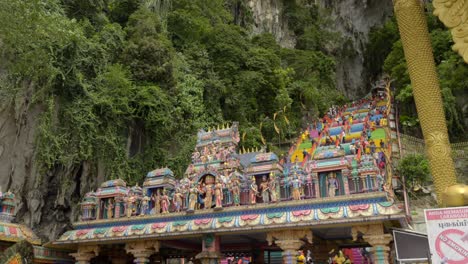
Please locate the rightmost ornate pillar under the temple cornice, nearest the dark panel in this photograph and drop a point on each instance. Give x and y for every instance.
(374, 235)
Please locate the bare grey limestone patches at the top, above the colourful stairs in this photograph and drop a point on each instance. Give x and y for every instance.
(352, 18)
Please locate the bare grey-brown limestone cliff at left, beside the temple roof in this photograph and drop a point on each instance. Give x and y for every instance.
(47, 201)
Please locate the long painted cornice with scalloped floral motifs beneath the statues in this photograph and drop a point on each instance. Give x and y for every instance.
(333, 211)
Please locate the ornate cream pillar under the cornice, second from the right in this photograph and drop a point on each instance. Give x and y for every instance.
(290, 241)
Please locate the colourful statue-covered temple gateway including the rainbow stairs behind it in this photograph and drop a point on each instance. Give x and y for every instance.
(330, 198)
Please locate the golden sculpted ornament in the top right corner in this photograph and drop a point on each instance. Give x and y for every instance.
(454, 15)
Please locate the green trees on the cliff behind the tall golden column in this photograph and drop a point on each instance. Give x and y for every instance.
(385, 52)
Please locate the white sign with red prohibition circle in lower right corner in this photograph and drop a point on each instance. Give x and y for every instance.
(447, 232)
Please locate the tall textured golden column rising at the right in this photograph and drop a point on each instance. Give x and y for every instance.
(419, 57)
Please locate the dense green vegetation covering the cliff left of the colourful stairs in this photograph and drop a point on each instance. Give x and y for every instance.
(127, 83)
